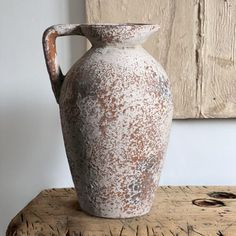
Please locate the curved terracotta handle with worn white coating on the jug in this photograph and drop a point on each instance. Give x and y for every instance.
(50, 53)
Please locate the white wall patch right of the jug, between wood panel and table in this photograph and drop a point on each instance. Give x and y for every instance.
(201, 152)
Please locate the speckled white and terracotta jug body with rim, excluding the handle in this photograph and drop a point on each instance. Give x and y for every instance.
(116, 111)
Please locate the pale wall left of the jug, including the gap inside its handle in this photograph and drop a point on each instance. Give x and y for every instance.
(32, 155)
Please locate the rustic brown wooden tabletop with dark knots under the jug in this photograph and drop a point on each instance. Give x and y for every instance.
(176, 211)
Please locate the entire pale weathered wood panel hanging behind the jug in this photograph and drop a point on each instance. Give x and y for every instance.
(196, 45)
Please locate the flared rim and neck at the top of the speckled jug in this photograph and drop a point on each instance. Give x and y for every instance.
(118, 34)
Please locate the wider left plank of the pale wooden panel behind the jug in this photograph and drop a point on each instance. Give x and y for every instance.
(174, 46)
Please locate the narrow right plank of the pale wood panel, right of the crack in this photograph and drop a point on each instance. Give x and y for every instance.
(218, 99)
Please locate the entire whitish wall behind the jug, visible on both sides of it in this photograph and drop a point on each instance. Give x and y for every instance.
(32, 155)
